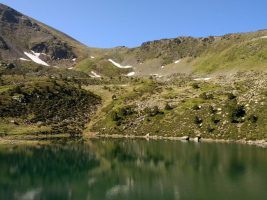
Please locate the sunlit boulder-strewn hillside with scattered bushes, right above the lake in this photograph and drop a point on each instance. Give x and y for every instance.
(231, 107)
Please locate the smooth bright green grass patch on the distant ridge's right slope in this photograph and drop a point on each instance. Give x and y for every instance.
(243, 56)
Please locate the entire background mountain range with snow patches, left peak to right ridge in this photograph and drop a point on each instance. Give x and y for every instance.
(25, 39)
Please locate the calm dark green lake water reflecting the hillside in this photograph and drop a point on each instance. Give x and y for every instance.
(134, 170)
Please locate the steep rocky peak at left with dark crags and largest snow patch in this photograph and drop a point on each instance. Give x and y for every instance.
(23, 38)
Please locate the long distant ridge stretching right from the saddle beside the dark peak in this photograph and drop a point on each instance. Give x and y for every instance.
(212, 55)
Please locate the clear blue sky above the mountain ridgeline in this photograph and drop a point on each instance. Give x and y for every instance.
(109, 23)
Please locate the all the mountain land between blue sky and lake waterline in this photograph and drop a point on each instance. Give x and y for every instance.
(51, 84)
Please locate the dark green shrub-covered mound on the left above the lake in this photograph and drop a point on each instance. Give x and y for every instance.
(49, 103)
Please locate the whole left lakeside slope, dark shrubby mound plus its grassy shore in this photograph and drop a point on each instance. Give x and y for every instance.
(44, 104)
